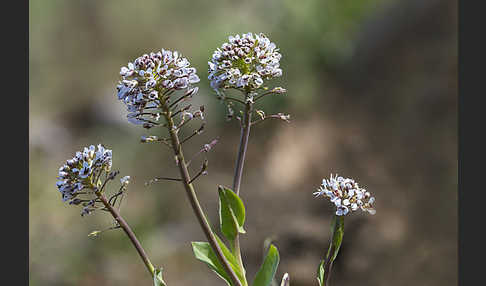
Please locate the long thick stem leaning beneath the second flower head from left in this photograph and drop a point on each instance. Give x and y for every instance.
(191, 194)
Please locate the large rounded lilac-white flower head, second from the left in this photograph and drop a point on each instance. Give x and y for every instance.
(149, 79)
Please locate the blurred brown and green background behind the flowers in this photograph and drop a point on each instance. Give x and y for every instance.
(372, 93)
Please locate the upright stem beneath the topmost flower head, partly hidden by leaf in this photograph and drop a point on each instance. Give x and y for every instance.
(245, 134)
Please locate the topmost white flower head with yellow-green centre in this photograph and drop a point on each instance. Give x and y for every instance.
(245, 62)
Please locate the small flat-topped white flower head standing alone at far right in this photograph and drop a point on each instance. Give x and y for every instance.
(346, 195)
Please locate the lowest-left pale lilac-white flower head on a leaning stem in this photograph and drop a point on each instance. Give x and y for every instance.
(82, 172)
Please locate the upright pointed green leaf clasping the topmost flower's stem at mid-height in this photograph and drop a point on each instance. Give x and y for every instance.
(231, 213)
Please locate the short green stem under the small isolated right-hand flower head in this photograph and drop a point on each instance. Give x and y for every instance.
(337, 232)
